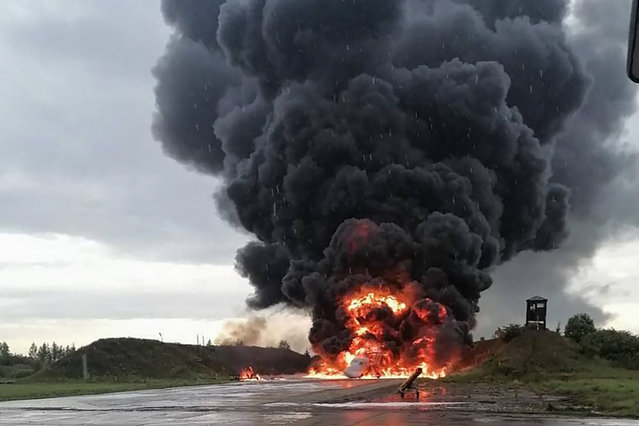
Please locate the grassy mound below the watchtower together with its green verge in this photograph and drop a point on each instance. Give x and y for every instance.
(550, 364)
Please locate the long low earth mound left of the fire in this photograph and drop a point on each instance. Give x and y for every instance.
(140, 358)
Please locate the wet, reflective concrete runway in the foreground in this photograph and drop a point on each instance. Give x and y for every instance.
(294, 402)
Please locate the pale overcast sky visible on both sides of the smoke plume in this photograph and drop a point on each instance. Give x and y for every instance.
(100, 233)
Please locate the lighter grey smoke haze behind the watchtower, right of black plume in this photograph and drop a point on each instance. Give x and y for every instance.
(589, 158)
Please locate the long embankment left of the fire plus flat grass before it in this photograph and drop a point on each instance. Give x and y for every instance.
(126, 364)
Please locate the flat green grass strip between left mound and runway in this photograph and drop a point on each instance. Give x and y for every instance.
(15, 391)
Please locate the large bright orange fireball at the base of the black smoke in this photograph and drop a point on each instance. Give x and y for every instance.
(366, 316)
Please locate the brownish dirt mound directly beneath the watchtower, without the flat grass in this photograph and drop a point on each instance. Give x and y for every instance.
(533, 353)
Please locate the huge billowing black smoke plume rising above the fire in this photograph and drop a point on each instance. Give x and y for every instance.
(372, 141)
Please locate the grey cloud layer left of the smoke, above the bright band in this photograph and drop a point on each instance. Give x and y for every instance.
(77, 153)
